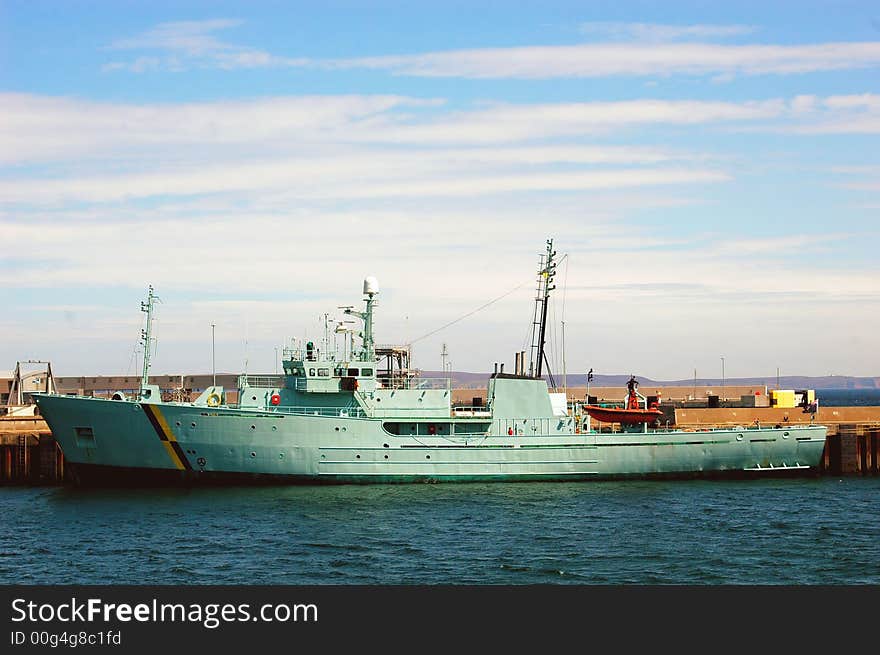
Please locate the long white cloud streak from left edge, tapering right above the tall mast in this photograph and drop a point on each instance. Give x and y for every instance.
(366, 175)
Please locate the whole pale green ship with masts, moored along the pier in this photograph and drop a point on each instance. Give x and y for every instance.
(343, 415)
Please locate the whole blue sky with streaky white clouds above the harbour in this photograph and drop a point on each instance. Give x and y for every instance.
(708, 172)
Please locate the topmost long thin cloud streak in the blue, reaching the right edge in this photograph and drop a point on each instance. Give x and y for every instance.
(647, 51)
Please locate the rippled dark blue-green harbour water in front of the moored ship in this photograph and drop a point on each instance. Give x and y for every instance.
(802, 531)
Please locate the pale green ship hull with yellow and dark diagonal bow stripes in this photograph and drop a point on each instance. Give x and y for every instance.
(115, 442)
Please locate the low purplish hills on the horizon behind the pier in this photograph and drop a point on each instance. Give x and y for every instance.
(463, 379)
